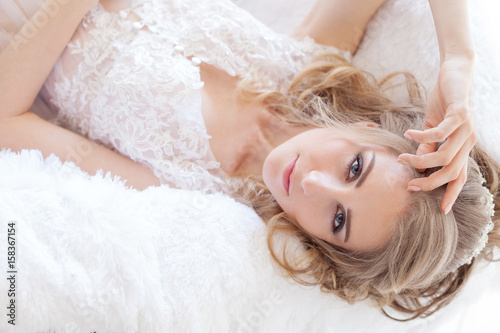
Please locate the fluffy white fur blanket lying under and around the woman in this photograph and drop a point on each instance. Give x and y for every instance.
(92, 255)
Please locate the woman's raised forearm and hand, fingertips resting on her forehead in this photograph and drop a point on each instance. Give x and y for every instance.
(448, 113)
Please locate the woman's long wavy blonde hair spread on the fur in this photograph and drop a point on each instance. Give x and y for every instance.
(420, 269)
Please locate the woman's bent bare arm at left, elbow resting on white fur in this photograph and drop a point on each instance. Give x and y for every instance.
(24, 66)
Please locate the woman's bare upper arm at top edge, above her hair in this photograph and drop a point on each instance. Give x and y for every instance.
(339, 23)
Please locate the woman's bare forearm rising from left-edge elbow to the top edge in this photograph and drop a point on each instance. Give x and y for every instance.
(29, 58)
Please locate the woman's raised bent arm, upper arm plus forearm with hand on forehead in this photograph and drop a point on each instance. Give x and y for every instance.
(449, 115)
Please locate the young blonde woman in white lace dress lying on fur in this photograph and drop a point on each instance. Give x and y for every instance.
(198, 95)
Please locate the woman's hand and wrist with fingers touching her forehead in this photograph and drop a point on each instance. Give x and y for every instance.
(449, 120)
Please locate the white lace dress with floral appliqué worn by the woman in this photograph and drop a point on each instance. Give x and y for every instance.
(131, 80)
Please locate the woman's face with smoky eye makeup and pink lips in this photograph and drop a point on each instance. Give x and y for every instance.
(346, 193)
